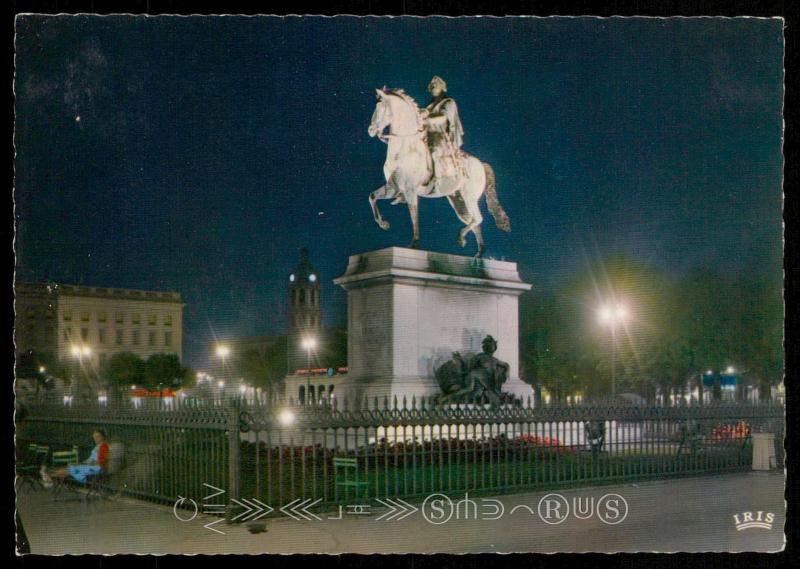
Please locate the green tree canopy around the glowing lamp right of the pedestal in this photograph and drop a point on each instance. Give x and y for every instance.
(676, 328)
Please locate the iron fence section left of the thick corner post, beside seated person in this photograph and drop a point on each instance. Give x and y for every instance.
(162, 452)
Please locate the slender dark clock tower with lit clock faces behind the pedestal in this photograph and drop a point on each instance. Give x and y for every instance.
(305, 315)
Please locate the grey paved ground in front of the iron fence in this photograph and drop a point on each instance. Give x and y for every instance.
(688, 514)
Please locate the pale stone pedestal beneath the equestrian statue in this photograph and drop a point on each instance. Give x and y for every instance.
(409, 310)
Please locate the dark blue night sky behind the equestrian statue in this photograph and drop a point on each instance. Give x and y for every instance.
(199, 154)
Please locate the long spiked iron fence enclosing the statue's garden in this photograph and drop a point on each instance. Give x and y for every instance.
(334, 454)
